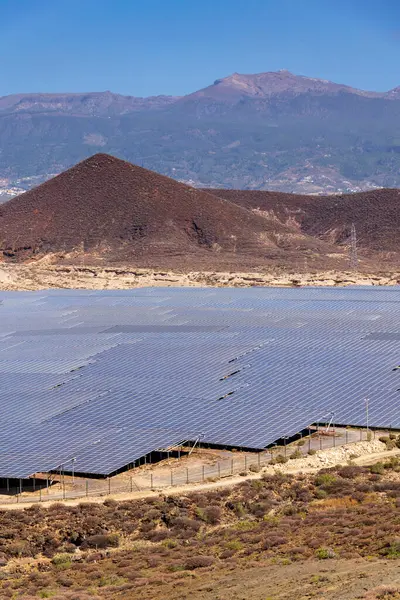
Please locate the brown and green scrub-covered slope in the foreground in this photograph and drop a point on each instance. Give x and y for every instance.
(173, 546)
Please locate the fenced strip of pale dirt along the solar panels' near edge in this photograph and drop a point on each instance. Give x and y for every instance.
(157, 478)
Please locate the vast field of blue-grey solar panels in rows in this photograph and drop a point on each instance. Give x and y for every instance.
(99, 379)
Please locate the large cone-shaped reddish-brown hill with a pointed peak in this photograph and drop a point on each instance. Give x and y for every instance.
(113, 210)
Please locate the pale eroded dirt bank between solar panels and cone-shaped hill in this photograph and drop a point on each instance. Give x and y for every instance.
(42, 275)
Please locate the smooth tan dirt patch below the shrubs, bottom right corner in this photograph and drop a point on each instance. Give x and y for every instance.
(332, 580)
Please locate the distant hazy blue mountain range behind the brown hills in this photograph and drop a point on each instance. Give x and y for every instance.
(269, 131)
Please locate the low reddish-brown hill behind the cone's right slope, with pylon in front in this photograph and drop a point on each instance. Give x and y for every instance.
(376, 214)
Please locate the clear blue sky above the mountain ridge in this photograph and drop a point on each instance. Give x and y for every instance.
(149, 47)
